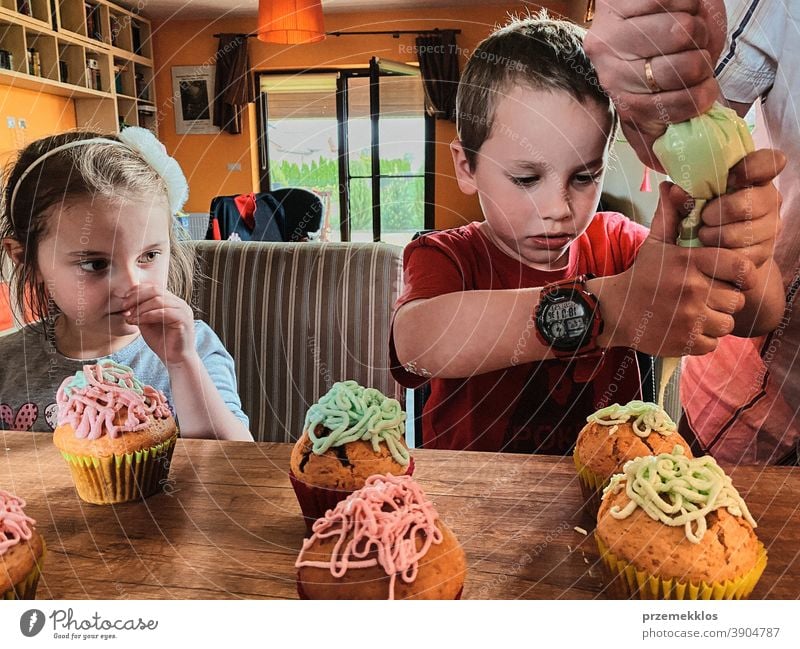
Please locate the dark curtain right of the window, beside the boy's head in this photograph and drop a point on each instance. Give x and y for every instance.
(437, 53)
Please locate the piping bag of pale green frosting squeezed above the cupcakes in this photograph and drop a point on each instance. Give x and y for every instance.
(697, 155)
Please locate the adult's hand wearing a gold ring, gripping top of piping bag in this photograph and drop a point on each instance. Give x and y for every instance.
(678, 40)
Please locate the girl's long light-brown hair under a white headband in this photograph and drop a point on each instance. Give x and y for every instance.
(99, 169)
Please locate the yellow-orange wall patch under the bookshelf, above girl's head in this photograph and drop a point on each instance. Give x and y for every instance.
(45, 115)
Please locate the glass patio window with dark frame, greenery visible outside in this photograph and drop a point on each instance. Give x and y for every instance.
(358, 138)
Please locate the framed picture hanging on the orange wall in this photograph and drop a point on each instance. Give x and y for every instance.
(193, 94)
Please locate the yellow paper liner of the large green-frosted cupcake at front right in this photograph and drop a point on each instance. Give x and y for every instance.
(630, 582)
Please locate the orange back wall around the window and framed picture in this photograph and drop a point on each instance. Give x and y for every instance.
(204, 158)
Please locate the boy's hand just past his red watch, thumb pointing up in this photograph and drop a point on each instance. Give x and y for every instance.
(673, 301)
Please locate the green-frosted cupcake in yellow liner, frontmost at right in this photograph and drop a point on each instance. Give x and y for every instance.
(672, 527)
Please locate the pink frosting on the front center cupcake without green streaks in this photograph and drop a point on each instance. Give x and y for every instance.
(384, 517)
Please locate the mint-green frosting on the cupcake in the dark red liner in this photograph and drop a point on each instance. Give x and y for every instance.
(351, 413)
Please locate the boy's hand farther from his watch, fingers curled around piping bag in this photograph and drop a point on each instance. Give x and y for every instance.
(746, 219)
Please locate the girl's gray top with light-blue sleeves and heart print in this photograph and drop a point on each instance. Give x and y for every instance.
(31, 369)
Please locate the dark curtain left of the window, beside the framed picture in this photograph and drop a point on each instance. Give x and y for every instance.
(233, 83)
